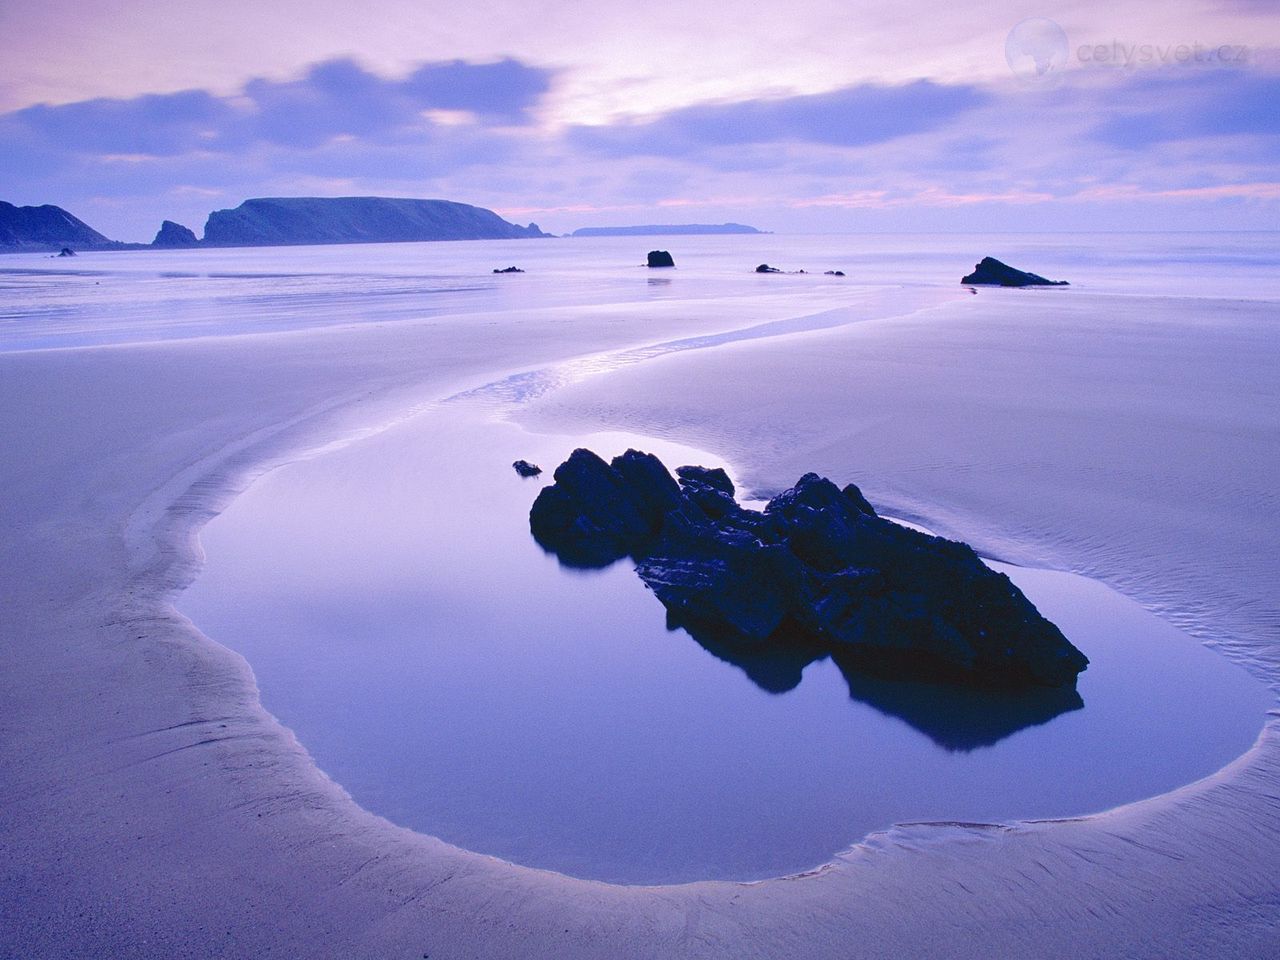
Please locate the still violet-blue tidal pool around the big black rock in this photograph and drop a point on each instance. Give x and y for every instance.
(459, 682)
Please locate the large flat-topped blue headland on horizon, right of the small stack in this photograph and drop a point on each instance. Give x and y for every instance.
(299, 221)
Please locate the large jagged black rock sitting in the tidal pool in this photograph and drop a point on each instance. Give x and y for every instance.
(816, 573)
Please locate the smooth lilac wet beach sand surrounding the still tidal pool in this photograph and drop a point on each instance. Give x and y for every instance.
(150, 808)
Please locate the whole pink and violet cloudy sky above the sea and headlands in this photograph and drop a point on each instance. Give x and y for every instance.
(815, 117)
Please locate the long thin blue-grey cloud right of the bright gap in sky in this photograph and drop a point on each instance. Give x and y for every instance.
(854, 116)
